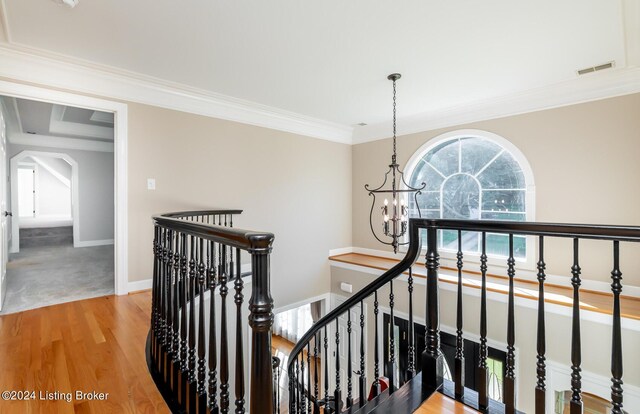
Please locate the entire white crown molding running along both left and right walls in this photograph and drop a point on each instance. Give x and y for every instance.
(52, 70)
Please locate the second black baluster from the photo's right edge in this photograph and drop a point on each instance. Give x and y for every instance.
(576, 351)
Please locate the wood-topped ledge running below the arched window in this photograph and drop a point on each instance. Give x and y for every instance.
(559, 295)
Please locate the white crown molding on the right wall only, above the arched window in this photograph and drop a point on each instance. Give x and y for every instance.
(586, 88)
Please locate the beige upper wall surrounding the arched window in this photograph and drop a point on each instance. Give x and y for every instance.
(585, 165)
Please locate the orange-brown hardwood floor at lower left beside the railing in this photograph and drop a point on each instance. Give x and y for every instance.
(93, 345)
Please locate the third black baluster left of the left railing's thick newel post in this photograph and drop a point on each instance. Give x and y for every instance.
(213, 355)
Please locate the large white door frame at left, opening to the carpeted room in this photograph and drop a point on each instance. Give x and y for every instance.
(119, 110)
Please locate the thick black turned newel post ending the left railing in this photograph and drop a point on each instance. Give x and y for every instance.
(261, 321)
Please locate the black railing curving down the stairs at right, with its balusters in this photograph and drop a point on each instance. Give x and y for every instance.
(432, 366)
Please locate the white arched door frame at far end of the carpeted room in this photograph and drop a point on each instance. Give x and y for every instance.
(15, 207)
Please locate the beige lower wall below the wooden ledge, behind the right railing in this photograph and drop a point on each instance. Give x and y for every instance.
(596, 337)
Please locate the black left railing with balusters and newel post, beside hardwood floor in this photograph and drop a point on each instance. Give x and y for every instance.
(198, 258)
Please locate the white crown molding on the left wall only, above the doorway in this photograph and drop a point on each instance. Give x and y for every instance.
(58, 71)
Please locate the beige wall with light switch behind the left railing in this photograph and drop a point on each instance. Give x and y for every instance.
(296, 187)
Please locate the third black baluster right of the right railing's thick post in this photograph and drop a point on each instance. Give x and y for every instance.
(510, 377)
